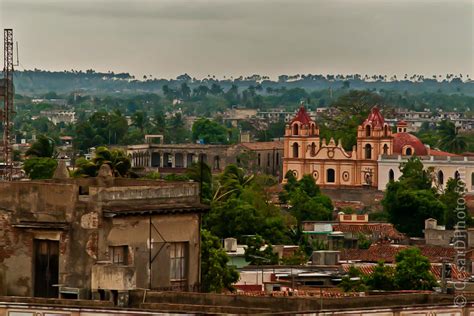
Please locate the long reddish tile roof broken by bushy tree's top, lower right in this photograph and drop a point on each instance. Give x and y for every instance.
(387, 253)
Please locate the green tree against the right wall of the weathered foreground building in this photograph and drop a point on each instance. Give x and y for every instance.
(216, 274)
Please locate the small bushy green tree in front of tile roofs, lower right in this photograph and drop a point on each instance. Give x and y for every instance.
(412, 271)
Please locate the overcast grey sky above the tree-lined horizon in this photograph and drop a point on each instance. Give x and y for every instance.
(242, 37)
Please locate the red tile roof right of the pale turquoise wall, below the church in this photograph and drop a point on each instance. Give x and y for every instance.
(381, 230)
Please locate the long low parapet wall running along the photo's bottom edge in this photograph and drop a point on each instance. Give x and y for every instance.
(206, 303)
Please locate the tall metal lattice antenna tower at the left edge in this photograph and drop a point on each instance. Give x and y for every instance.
(8, 111)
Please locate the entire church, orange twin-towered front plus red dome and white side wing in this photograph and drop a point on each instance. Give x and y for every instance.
(373, 162)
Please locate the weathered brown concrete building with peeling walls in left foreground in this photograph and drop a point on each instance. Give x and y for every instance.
(71, 237)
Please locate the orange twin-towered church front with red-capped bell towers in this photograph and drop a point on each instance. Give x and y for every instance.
(327, 161)
